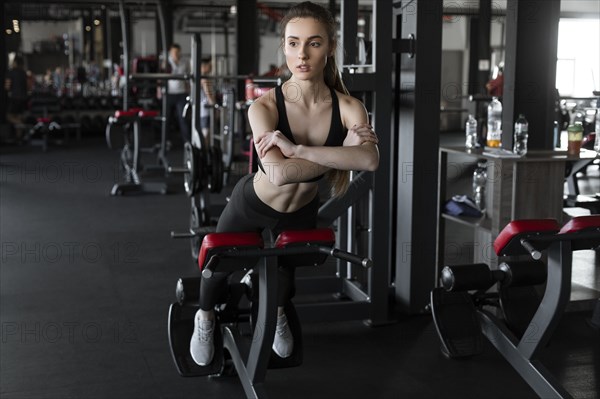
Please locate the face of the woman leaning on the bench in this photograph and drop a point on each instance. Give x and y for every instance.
(306, 47)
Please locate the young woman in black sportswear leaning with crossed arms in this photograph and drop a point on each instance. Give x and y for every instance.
(303, 130)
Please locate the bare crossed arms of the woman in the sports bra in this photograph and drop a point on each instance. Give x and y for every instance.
(286, 162)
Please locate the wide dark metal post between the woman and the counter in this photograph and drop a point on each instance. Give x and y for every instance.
(418, 146)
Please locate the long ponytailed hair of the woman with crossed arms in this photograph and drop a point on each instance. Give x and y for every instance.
(338, 179)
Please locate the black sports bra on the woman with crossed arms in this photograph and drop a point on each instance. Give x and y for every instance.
(337, 132)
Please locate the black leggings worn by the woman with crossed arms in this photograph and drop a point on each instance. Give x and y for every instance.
(246, 212)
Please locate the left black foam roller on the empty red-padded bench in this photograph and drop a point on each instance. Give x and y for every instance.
(476, 276)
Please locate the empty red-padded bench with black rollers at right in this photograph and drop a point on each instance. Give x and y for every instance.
(461, 306)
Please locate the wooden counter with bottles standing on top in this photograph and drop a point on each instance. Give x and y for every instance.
(528, 187)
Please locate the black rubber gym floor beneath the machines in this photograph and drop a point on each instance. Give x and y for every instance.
(86, 280)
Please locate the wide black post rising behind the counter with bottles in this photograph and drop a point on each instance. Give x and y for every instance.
(530, 70)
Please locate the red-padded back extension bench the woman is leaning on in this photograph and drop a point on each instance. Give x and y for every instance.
(246, 322)
